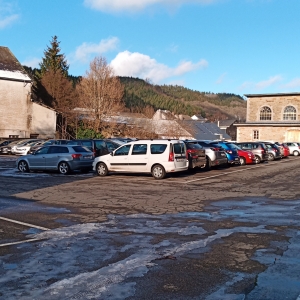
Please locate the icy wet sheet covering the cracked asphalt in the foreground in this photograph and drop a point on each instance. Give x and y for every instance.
(105, 260)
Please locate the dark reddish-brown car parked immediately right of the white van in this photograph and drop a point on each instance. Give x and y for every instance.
(195, 154)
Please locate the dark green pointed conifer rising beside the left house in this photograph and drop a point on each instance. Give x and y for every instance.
(53, 60)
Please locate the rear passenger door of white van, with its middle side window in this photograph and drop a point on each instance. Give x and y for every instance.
(138, 158)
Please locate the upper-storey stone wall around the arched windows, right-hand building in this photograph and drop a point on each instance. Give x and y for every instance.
(276, 103)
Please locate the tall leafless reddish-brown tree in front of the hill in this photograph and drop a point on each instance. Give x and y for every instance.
(100, 94)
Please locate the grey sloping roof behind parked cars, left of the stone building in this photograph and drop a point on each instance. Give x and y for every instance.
(205, 131)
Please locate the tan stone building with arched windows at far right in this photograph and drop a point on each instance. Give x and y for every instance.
(271, 117)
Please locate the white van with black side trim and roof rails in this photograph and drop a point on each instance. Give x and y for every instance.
(157, 157)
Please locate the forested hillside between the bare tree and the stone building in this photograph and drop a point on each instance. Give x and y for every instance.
(180, 100)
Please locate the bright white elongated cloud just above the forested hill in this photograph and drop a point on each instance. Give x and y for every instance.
(143, 66)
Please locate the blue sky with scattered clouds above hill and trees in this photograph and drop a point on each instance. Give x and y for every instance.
(232, 46)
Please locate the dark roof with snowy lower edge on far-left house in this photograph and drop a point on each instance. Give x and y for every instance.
(10, 67)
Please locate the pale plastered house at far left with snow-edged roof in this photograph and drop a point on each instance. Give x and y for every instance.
(19, 116)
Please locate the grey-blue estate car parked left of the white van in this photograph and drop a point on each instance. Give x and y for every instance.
(63, 158)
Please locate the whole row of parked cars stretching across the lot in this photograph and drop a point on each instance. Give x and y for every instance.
(158, 157)
